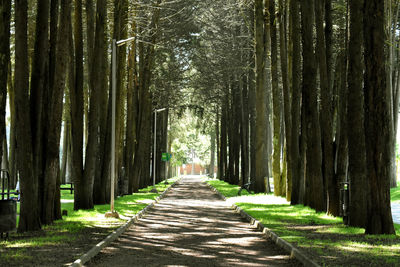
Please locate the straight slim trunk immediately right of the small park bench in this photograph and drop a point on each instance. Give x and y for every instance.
(261, 161)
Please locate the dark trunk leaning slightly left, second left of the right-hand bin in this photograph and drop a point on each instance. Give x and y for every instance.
(314, 182)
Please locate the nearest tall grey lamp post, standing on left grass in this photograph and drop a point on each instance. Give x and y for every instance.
(115, 43)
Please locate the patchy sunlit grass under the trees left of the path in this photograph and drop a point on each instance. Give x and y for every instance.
(75, 224)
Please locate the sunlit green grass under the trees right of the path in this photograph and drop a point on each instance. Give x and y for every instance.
(324, 238)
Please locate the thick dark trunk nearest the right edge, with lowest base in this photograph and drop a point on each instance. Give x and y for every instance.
(378, 127)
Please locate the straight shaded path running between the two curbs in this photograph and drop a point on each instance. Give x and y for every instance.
(192, 226)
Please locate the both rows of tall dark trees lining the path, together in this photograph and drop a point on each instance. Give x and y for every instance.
(307, 89)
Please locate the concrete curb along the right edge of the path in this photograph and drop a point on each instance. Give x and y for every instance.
(294, 252)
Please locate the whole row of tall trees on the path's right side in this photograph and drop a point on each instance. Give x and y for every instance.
(319, 109)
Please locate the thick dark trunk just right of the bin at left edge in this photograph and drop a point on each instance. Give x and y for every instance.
(29, 219)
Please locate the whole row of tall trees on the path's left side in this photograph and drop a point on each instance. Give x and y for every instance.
(55, 62)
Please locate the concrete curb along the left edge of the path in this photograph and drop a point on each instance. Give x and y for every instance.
(114, 235)
